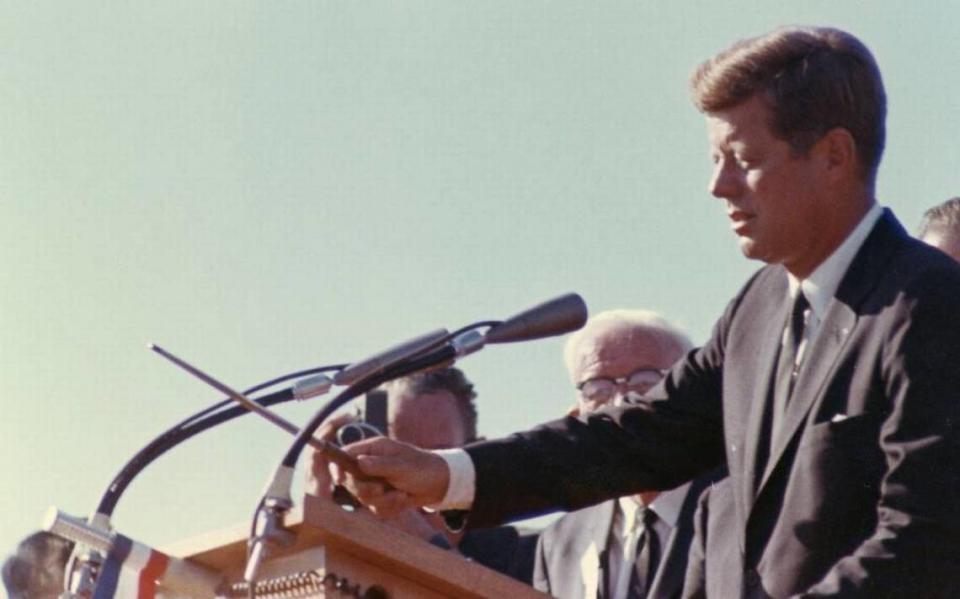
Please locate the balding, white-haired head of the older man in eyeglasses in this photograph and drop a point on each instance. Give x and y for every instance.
(618, 343)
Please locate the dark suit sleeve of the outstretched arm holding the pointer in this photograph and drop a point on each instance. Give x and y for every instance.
(675, 435)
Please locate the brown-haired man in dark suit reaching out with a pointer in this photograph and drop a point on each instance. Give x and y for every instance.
(830, 385)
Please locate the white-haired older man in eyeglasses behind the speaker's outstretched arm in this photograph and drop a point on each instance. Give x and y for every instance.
(633, 547)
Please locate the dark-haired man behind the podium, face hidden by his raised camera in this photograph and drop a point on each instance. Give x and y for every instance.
(436, 410)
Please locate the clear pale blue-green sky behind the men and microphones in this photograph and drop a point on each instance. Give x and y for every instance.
(263, 187)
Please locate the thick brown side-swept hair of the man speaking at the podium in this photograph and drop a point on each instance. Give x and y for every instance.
(813, 79)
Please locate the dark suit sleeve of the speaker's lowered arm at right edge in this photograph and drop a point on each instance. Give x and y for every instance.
(915, 548)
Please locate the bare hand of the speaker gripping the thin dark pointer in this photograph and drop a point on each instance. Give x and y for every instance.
(418, 477)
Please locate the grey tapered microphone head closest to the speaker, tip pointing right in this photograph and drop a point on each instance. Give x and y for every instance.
(554, 317)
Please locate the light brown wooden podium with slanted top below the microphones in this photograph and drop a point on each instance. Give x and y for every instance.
(341, 554)
